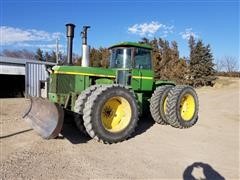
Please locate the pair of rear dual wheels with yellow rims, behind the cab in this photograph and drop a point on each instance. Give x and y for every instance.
(175, 105)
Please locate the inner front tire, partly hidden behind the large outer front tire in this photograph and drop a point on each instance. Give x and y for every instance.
(79, 106)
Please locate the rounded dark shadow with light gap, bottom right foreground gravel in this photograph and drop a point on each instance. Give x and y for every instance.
(199, 170)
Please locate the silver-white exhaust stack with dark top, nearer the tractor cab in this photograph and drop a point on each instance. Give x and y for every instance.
(85, 47)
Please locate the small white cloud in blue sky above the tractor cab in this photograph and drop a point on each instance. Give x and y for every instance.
(149, 29)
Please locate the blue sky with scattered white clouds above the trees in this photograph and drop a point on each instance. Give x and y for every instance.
(36, 23)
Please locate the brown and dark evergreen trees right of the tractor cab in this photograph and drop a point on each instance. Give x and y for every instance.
(197, 70)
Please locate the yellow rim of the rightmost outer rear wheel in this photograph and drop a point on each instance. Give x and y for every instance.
(187, 107)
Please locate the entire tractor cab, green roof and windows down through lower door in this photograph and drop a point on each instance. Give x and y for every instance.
(131, 60)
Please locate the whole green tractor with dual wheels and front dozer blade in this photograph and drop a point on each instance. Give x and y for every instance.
(107, 102)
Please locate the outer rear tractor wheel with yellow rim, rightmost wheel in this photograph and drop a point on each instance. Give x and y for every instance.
(182, 107)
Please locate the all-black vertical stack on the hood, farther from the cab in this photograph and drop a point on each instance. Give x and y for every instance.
(70, 35)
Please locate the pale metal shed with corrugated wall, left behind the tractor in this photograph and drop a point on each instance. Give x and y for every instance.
(35, 72)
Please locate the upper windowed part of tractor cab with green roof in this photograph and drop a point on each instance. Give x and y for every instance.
(129, 55)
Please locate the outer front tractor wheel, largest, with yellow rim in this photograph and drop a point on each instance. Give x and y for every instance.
(111, 114)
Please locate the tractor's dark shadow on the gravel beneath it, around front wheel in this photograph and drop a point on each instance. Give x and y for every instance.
(75, 136)
